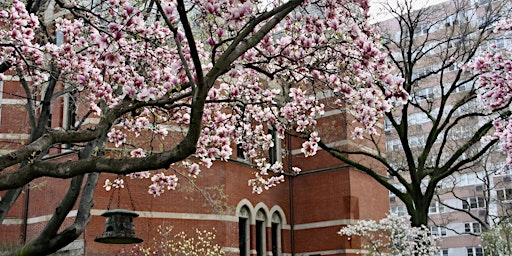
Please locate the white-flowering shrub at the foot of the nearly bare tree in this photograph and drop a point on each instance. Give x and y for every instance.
(392, 235)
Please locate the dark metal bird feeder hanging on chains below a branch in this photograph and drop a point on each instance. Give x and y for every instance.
(119, 228)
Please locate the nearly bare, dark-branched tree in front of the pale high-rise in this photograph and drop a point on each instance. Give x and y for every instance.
(443, 128)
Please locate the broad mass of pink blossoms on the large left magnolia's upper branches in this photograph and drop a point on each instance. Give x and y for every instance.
(120, 55)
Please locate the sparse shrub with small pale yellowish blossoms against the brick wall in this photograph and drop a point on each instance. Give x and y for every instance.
(167, 243)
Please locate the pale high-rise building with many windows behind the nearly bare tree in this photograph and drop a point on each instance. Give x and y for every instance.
(444, 37)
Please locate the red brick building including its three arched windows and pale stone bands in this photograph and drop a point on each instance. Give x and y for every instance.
(298, 217)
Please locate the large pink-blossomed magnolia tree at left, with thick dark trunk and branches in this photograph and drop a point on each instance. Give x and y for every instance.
(198, 75)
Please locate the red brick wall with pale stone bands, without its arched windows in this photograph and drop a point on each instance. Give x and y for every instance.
(319, 201)
